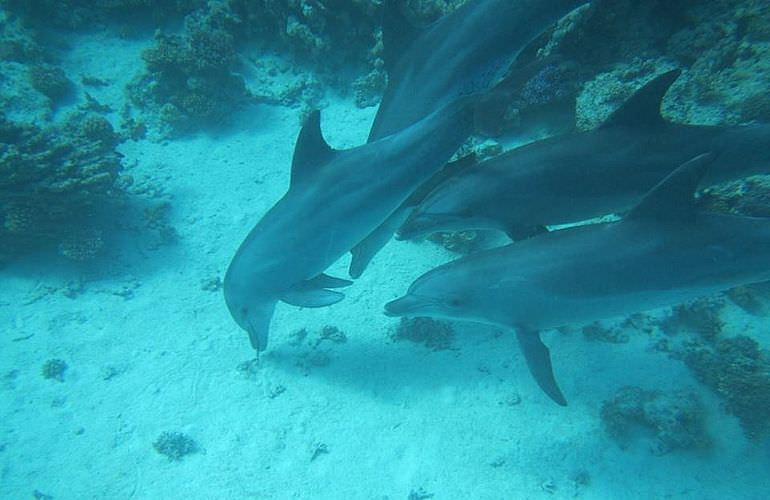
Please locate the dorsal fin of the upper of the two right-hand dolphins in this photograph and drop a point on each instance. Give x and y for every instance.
(643, 108)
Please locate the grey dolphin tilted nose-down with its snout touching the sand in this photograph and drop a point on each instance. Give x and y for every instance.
(335, 199)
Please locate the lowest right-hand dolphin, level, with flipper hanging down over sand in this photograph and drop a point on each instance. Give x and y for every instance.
(662, 253)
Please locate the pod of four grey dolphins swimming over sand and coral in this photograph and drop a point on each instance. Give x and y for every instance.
(663, 252)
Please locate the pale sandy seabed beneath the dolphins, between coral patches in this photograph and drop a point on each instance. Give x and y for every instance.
(149, 350)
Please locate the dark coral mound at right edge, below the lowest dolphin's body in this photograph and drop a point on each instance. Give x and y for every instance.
(739, 372)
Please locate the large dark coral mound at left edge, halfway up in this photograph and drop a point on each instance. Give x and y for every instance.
(56, 185)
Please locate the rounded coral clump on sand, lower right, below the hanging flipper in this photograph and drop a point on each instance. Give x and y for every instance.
(670, 421)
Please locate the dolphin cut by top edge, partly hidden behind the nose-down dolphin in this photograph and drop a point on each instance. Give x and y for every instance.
(465, 52)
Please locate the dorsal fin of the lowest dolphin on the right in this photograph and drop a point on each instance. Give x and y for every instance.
(673, 199)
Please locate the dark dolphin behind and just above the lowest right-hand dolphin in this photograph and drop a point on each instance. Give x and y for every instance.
(582, 175)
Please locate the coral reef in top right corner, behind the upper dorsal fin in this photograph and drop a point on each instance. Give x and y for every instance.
(719, 43)
